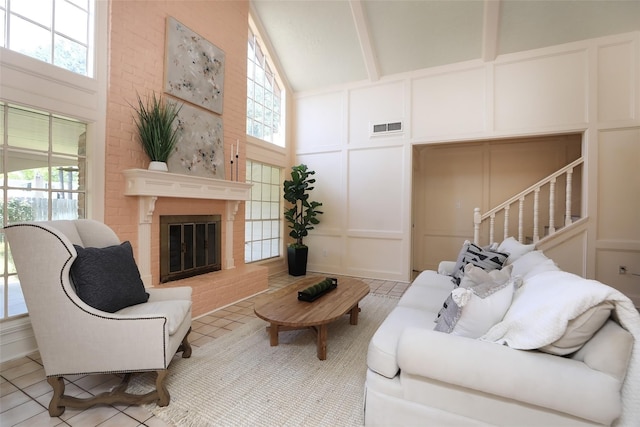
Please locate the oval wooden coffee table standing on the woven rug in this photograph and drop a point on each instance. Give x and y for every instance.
(284, 312)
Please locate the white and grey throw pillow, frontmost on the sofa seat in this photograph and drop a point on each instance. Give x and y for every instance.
(479, 303)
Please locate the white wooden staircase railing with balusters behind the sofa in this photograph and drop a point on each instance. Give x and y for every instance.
(533, 192)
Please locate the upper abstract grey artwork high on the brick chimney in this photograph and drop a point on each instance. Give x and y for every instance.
(194, 69)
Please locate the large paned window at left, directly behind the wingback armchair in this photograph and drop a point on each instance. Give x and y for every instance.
(42, 175)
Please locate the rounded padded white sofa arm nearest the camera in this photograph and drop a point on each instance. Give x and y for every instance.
(530, 377)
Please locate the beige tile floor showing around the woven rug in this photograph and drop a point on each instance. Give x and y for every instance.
(25, 393)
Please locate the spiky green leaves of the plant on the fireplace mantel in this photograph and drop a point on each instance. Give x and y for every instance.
(155, 126)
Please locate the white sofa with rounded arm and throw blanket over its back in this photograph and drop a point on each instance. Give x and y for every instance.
(565, 352)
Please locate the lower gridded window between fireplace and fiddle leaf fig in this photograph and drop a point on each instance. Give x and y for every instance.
(262, 213)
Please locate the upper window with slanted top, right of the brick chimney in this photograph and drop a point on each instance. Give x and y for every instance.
(264, 96)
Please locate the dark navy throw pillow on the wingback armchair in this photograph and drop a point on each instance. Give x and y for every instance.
(108, 278)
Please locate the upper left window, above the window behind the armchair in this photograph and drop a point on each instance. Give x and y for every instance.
(53, 31)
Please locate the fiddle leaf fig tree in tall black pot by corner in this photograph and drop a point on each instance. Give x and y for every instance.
(301, 216)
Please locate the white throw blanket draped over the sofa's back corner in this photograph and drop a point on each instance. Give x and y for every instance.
(554, 298)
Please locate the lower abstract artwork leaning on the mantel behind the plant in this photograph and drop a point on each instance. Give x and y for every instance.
(199, 150)
